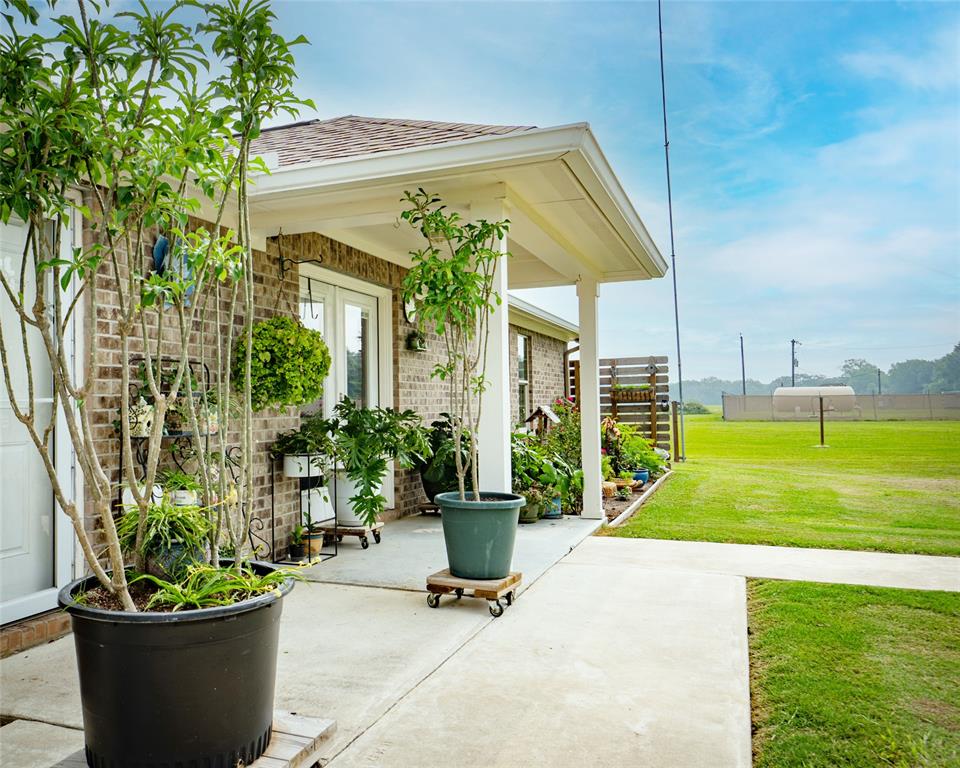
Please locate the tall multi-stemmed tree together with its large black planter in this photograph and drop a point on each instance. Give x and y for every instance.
(109, 125)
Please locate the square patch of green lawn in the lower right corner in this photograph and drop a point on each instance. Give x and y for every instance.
(854, 676)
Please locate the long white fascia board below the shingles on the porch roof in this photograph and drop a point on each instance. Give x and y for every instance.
(534, 145)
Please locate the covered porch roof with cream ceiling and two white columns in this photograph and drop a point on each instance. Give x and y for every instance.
(571, 224)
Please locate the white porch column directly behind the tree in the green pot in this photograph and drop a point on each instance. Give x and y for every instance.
(494, 434)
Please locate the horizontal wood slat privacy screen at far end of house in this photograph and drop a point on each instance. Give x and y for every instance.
(633, 371)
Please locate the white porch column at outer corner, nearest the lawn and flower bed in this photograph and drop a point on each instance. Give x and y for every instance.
(588, 397)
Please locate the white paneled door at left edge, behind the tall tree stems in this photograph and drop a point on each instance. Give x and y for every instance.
(35, 541)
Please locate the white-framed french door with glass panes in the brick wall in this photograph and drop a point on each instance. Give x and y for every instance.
(354, 318)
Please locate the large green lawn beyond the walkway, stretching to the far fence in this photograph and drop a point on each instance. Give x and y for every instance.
(890, 486)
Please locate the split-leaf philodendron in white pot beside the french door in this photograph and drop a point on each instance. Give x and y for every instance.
(364, 440)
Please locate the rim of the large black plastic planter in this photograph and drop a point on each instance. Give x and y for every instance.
(67, 602)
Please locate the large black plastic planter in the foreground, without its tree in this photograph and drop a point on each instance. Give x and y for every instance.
(191, 689)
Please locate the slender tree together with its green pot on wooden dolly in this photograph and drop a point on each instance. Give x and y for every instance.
(451, 284)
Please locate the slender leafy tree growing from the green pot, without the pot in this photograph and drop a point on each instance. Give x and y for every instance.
(451, 283)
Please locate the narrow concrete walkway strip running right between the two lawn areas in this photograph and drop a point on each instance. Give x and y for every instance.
(879, 569)
